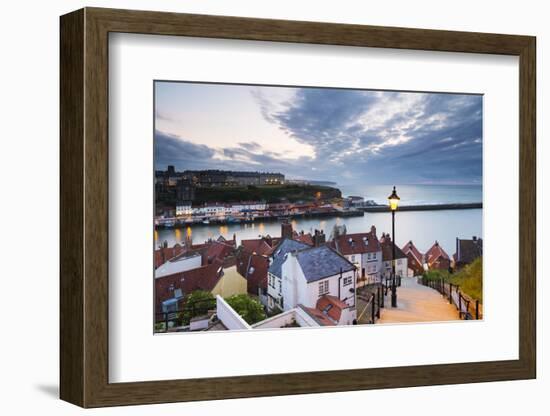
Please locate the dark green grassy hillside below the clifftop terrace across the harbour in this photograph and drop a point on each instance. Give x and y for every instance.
(271, 193)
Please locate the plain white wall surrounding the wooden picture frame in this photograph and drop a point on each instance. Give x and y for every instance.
(29, 355)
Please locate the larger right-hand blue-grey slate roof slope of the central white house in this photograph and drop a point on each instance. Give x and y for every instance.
(320, 262)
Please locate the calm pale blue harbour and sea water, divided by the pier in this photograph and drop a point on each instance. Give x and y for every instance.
(422, 227)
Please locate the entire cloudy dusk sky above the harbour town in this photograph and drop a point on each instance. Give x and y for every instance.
(340, 135)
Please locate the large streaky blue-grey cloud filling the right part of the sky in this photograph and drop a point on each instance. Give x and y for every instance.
(388, 135)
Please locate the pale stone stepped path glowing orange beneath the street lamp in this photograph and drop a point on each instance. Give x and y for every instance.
(417, 303)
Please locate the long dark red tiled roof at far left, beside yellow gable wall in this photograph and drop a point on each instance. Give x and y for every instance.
(201, 278)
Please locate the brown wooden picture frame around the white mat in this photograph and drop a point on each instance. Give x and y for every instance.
(84, 207)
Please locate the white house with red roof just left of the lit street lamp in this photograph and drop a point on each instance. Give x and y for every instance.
(364, 251)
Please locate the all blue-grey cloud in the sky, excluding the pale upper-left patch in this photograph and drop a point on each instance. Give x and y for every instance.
(358, 136)
